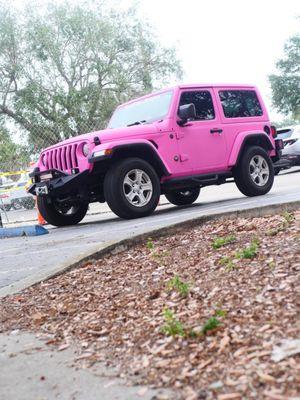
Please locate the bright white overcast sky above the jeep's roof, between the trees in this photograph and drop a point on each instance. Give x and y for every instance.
(229, 41)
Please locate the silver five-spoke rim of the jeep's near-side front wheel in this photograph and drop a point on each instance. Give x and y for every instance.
(137, 187)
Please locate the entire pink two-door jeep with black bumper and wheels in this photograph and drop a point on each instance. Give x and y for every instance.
(172, 142)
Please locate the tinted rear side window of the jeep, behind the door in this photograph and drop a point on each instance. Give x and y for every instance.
(240, 103)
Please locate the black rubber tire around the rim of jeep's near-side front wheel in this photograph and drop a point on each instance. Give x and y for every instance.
(115, 194)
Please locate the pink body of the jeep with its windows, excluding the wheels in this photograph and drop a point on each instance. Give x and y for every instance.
(208, 146)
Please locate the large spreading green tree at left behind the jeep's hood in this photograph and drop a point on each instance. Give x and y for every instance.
(65, 68)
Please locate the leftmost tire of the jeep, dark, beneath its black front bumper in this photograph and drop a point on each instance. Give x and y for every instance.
(58, 217)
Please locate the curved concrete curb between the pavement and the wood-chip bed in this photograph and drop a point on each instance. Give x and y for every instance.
(119, 246)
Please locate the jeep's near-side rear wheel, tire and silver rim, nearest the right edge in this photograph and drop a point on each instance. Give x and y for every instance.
(254, 174)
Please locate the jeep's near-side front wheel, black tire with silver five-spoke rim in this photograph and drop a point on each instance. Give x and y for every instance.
(132, 188)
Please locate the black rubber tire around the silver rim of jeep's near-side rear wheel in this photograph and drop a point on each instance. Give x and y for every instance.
(242, 173)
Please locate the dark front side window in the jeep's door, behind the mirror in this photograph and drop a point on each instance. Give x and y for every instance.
(202, 101)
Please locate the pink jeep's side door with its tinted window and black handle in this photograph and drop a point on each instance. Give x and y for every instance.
(201, 142)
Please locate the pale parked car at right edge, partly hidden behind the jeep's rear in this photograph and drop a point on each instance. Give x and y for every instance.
(291, 151)
